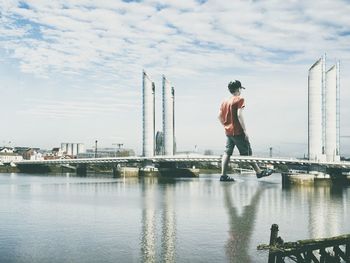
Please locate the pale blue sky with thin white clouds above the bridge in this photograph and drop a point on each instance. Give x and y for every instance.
(71, 70)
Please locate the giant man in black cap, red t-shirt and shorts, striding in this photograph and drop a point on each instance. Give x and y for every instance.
(231, 117)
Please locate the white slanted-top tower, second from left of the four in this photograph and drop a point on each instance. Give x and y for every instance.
(168, 117)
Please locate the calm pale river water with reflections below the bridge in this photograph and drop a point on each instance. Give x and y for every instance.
(73, 219)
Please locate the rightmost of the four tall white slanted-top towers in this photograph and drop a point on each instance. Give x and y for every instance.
(332, 114)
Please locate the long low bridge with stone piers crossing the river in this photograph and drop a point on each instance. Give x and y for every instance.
(174, 165)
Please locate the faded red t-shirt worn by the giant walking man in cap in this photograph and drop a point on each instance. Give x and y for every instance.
(228, 115)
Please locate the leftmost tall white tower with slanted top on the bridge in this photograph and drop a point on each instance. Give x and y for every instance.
(148, 116)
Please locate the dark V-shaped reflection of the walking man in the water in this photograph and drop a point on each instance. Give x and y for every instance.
(241, 227)
